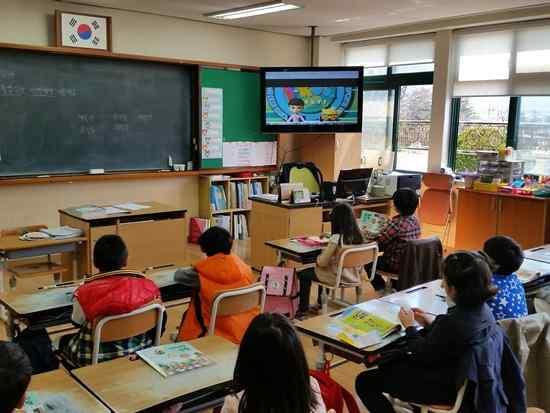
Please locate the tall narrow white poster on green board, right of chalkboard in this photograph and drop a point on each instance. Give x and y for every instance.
(211, 123)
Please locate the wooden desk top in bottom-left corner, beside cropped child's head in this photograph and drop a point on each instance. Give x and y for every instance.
(58, 382)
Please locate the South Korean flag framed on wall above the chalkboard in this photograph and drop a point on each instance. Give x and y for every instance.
(84, 31)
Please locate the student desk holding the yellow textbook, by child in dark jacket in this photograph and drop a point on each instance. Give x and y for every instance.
(319, 328)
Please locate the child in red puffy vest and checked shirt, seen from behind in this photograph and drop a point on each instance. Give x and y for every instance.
(113, 291)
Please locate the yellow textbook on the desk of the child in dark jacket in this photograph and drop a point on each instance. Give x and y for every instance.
(362, 329)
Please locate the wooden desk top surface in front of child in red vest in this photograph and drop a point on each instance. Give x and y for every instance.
(25, 304)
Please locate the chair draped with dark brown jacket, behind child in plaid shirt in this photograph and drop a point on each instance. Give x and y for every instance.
(420, 263)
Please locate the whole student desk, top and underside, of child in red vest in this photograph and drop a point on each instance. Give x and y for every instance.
(52, 307)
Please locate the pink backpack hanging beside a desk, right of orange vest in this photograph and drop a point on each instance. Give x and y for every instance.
(282, 290)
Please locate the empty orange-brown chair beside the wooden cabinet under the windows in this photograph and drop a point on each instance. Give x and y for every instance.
(435, 205)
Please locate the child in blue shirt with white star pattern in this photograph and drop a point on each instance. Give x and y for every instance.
(507, 257)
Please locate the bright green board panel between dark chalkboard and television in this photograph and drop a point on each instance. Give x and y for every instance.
(241, 107)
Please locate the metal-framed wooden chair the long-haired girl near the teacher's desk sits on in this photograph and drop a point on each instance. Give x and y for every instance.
(350, 257)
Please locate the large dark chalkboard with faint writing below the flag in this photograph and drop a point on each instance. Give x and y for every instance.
(67, 114)
